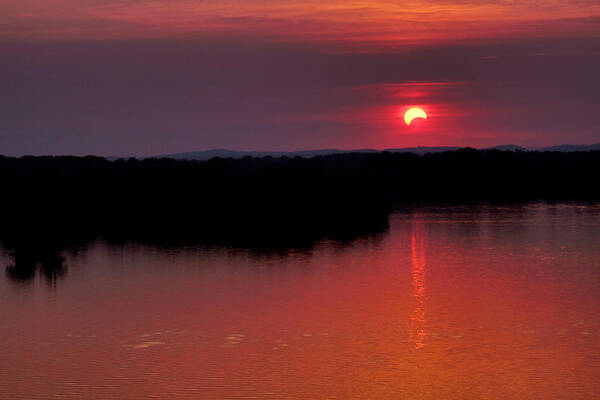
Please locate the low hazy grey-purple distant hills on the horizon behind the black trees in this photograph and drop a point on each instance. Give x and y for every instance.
(224, 153)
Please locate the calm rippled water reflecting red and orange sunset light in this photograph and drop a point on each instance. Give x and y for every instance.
(450, 303)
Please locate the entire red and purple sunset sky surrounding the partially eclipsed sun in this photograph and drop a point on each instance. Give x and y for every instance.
(143, 77)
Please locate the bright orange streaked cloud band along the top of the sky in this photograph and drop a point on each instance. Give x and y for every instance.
(381, 22)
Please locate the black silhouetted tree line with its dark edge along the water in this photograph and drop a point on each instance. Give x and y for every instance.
(53, 203)
